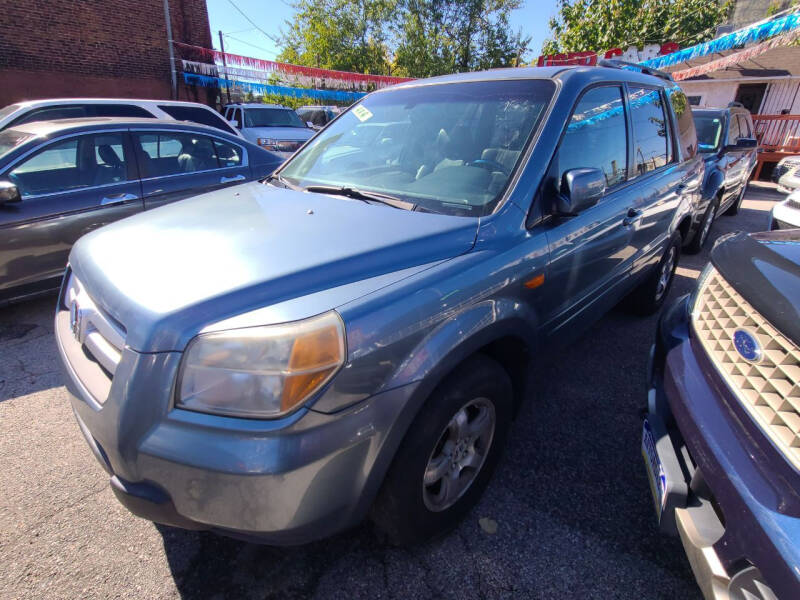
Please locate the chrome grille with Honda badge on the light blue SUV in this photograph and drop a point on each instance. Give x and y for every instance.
(101, 337)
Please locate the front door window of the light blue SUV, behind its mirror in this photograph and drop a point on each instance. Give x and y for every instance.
(596, 136)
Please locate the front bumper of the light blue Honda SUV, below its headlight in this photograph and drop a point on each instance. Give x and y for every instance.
(287, 481)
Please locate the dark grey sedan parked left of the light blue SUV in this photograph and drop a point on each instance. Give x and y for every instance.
(62, 179)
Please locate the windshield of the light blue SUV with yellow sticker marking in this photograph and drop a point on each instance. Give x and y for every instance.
(447, 148)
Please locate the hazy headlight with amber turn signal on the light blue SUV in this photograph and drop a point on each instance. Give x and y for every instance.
(261, 372)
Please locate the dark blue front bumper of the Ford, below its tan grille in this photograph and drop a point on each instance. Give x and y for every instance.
(737, 515)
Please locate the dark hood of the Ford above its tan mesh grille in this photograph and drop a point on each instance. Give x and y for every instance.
(765, 269)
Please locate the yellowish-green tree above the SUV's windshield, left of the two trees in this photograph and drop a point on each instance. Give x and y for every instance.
(345, 35)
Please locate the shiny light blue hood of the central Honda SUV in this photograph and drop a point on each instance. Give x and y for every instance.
(167, 273)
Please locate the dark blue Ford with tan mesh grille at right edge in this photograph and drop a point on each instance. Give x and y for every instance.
(721, 439)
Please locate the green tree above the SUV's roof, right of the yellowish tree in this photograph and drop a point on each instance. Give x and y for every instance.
(446, 36)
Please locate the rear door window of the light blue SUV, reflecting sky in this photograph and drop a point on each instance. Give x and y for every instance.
(650, 141)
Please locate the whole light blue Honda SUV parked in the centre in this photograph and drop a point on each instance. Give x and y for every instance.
(353, 335)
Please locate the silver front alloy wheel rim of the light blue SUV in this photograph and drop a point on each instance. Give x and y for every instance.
(459, 454)
